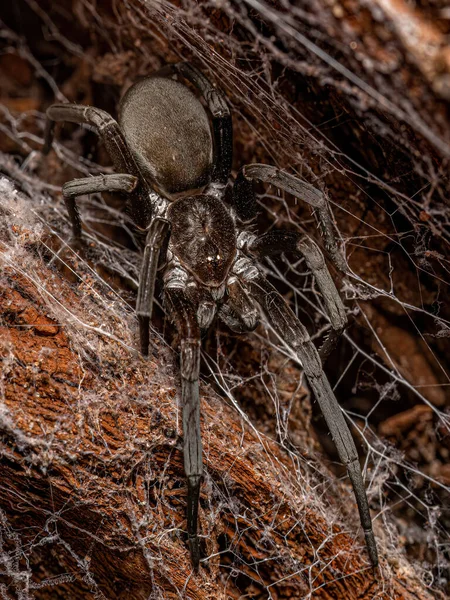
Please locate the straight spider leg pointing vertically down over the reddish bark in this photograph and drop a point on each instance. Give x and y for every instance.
(183, 313)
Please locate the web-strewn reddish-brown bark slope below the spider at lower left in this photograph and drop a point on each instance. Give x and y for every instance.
(92, 480)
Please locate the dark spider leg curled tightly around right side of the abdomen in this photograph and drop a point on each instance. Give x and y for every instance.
(221, 119)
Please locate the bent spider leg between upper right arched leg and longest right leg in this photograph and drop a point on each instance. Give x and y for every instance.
(277, 242)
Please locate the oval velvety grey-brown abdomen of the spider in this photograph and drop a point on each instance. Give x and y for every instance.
(168, 132)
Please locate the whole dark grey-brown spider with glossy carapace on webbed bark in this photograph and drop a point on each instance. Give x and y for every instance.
(173, 157)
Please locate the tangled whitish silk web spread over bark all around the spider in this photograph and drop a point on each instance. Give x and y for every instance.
(315, 91)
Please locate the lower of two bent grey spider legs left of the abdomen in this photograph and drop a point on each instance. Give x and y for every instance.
(90, 185)
